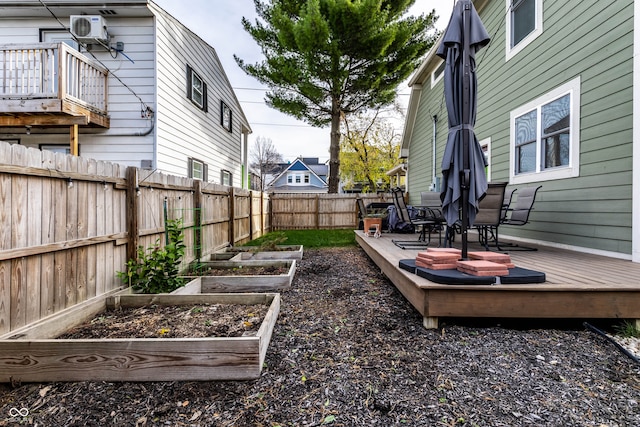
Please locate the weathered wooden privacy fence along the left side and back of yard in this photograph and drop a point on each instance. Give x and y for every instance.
(69, 224)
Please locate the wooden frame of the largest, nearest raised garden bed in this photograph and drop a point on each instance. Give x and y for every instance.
(33, 354)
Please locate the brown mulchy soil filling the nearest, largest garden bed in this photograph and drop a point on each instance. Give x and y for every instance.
(189, 321)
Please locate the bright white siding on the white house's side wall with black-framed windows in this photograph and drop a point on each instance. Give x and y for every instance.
(181, 123)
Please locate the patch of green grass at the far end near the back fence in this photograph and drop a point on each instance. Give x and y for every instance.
(310, 238)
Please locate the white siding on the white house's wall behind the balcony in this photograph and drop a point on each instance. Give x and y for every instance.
(124, 142)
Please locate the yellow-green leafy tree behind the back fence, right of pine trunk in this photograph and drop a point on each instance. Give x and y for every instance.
(368, 149)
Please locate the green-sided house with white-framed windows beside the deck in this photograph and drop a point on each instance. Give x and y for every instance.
(558, 106)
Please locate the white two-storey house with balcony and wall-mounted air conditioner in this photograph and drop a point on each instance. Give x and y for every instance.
(136, 87)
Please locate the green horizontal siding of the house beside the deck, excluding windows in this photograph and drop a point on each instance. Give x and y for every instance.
(588, 39)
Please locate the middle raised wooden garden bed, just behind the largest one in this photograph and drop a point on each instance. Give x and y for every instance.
(240, 276)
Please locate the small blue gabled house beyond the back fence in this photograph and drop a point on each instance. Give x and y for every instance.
(303, 175)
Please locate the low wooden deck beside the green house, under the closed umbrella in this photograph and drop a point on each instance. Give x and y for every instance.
(577, 285)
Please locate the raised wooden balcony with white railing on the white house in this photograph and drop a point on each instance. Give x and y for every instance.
(51, 84)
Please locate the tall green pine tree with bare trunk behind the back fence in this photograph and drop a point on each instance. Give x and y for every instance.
(325, 59)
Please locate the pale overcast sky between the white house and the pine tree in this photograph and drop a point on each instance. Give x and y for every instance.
(218, 23)
